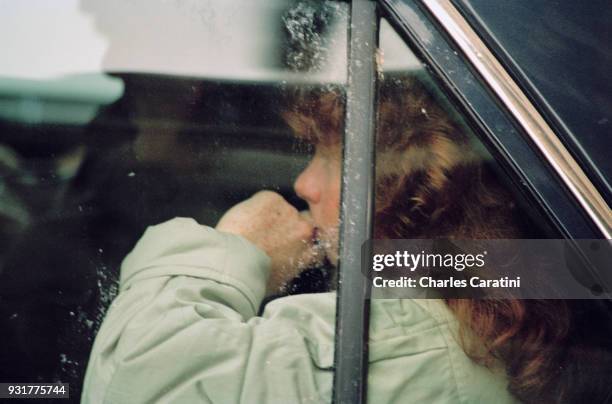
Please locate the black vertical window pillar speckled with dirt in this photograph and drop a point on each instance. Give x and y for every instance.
(351, 355)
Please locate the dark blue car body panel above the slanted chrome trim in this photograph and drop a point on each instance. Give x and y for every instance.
(561, 54)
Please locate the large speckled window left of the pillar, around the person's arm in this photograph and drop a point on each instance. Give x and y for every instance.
(115, 116)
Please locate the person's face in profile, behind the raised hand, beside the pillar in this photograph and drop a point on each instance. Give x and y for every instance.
(319, 186)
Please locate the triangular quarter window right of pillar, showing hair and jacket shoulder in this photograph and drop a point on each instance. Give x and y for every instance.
(437, 179)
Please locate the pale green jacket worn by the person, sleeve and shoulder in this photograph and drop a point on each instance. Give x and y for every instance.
(184, 330)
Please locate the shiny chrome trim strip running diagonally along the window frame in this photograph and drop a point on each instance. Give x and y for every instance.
(510, 94)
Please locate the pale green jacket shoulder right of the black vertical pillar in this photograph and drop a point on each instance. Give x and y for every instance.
(415, 344)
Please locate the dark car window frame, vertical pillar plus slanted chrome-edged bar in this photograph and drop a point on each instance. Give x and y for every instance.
(513, 130)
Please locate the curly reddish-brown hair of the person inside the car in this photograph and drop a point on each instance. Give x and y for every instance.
(431, 183)
